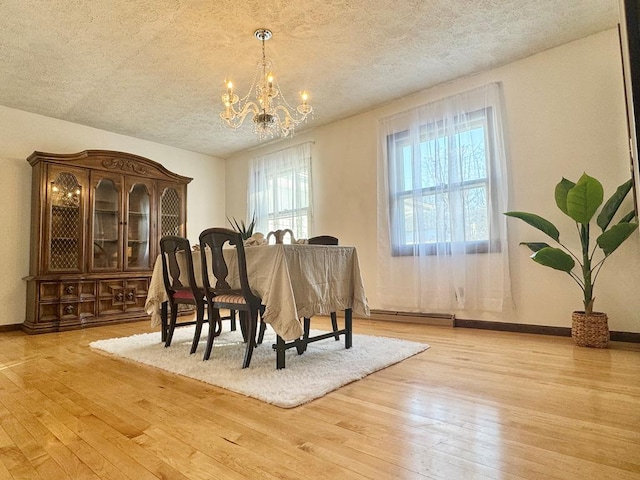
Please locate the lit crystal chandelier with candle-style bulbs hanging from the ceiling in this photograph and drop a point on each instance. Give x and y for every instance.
(272, 114)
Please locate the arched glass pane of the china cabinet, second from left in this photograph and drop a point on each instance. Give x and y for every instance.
(106, 222)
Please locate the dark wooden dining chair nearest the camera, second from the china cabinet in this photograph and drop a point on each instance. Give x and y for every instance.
(222, 295)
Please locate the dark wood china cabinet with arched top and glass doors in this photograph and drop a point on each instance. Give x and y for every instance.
(96, 221)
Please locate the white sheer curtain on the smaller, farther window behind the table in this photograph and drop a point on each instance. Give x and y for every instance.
(280, 190)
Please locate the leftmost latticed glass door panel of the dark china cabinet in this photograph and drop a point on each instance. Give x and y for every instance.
(65, 217)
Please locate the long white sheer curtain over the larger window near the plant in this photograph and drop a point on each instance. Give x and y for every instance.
(442, 188)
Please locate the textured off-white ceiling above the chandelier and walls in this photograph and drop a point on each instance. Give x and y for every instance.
(154, 69)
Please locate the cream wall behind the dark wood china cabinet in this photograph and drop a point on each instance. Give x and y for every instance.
(22, 133)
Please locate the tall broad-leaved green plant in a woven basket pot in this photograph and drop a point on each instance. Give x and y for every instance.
(580, 201)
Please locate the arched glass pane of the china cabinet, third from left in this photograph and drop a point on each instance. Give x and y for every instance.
(138, 227)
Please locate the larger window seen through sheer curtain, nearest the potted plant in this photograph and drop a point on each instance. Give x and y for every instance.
(442, 174)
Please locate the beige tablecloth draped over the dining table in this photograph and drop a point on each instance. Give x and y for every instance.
(294, 281)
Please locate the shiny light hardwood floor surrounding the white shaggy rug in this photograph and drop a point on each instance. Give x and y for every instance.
(477, 405)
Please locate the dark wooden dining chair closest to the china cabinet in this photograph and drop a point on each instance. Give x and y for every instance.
(180, 285)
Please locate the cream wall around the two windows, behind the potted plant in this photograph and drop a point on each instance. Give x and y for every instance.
(565, 115)
